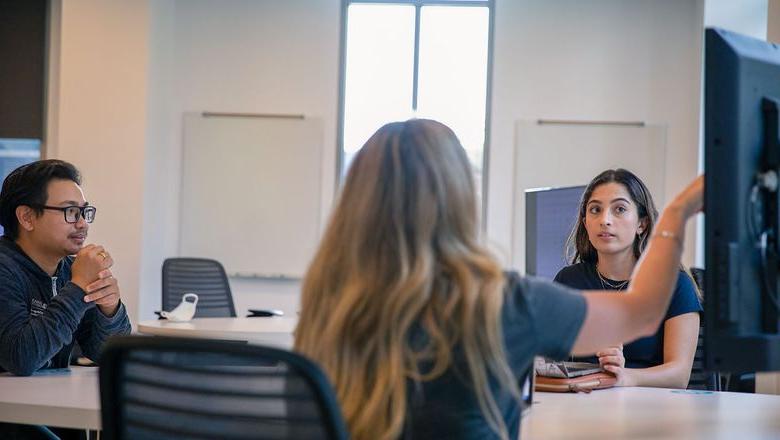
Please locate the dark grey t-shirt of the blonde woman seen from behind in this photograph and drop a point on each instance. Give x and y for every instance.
(539, 318)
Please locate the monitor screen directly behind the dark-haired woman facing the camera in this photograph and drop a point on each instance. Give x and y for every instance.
(550, 214)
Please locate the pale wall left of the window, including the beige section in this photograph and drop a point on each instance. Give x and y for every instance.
(122, 74)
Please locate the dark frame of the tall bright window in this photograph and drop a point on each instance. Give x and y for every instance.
(419, 4)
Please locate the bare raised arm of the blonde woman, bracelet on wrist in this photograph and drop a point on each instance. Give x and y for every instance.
(613, 319)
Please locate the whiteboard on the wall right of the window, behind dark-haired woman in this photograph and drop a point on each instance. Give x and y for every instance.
(559, 155)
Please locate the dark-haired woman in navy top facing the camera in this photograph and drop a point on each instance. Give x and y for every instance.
(615, 219)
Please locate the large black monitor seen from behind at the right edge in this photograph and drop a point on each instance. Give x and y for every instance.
(742, 162)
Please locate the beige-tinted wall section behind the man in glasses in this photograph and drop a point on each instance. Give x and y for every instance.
(97, 100)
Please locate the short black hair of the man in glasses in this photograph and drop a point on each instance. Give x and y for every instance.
(27, 185)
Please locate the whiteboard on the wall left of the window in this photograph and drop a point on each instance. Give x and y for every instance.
(250, 192)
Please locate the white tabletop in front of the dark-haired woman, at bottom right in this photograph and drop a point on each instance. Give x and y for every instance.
(652, 413)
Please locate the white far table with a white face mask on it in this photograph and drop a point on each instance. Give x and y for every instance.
(274, 331)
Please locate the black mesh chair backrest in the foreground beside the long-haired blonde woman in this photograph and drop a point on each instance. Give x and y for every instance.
(170, 388)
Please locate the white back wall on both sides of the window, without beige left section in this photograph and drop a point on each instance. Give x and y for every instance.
(562, 59)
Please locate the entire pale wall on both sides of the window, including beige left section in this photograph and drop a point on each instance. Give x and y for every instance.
(128, 70)
